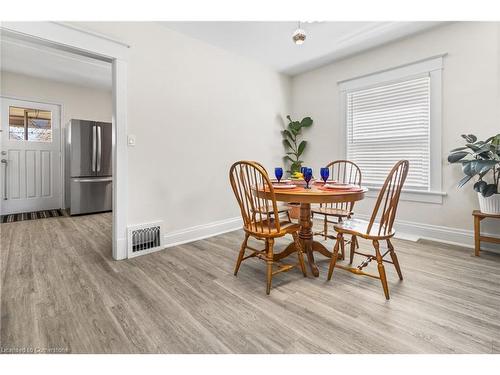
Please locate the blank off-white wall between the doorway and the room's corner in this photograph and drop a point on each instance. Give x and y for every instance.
(194, 109)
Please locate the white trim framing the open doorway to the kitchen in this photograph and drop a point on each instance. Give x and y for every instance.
(73, 39)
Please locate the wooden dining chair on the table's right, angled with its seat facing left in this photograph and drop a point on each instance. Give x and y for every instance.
(379, 228)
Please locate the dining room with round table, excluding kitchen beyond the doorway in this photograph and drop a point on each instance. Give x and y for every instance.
(331, 189)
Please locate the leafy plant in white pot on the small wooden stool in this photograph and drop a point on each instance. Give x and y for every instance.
(481, 159)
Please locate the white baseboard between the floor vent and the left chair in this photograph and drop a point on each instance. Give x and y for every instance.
(200, 232)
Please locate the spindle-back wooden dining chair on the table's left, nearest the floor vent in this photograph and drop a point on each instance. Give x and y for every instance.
(247, 178)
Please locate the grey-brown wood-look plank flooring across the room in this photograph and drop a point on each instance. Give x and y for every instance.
(62, 291)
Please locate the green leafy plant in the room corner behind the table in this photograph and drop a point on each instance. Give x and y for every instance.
(291, 142)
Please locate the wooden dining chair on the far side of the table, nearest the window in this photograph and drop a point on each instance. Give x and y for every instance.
(345, 172)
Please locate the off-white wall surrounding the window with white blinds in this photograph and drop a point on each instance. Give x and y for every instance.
(471, 84)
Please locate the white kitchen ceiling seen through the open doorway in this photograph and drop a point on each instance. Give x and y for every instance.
(22, 57)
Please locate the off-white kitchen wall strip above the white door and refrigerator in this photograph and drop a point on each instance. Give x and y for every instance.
(77, 101)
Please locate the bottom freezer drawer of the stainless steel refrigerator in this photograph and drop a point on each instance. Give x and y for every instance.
(91, 194)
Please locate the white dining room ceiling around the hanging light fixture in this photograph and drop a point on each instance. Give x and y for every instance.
(271, 42)
